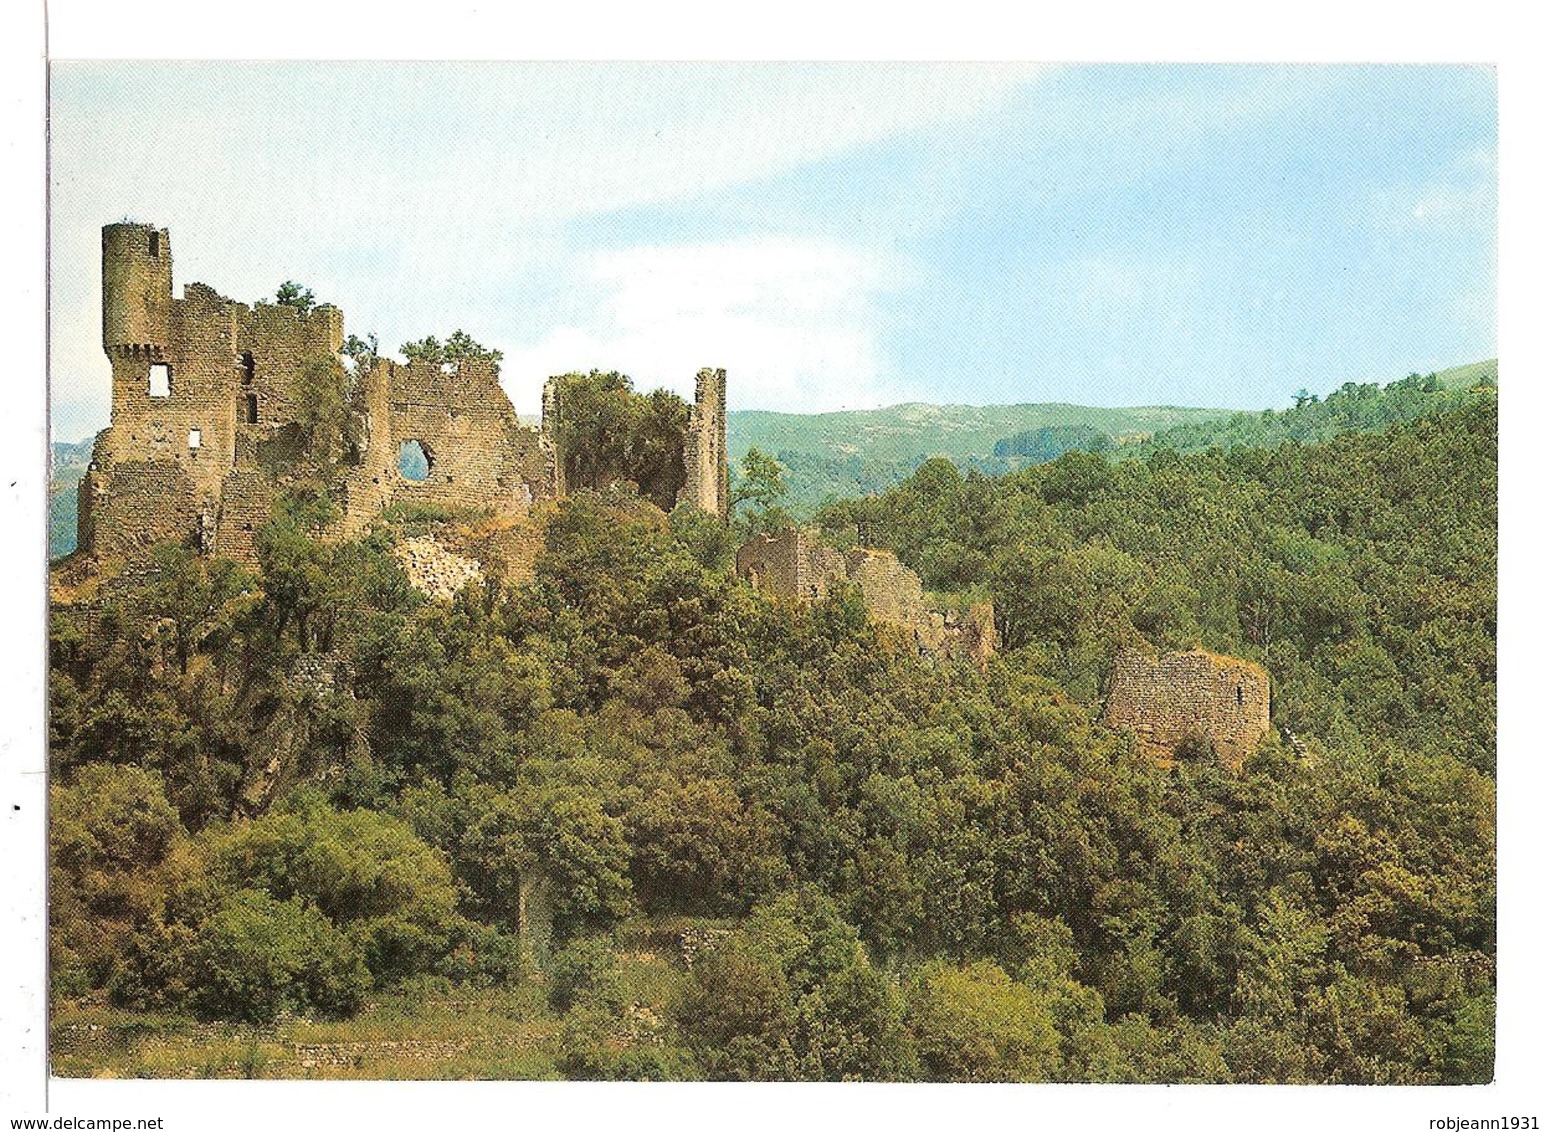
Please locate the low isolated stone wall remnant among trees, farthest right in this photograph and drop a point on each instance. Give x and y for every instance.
(1173, 697)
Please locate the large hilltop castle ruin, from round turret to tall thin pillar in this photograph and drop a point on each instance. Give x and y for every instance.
(215, 407)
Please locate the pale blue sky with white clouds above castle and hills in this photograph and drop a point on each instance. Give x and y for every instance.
(836, 236)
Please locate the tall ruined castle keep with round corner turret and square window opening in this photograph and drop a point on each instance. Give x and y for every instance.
(222, 367)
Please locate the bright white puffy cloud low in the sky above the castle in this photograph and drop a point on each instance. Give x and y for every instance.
(793, 322)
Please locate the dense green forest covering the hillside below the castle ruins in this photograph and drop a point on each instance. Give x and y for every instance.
(849, 863)
